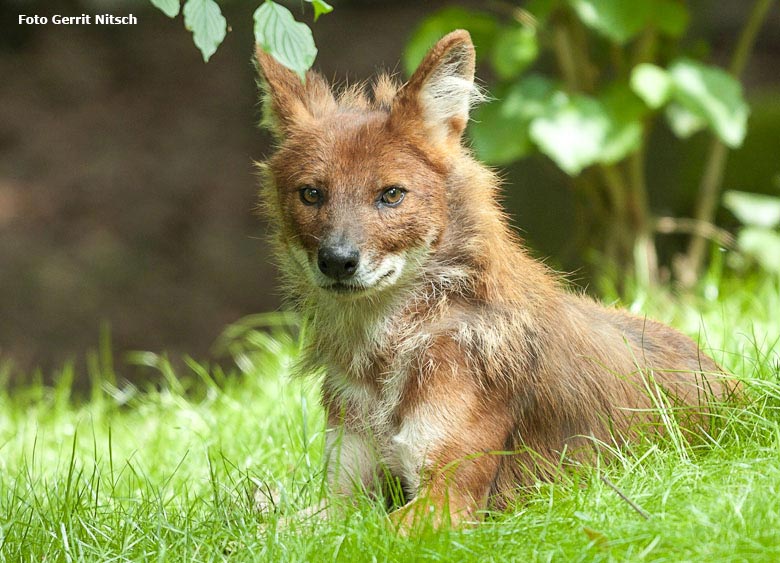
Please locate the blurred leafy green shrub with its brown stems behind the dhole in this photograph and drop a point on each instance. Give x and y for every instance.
(619, 68)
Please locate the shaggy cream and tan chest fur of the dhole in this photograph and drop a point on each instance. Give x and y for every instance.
(367, 393)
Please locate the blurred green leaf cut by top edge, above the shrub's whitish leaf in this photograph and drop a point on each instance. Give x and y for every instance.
(617, 20)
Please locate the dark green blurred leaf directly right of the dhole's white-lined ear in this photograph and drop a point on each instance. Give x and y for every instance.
(499, 131)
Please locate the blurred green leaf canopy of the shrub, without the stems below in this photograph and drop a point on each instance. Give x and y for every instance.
(578, 120)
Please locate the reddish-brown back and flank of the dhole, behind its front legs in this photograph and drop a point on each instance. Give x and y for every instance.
(606, 376)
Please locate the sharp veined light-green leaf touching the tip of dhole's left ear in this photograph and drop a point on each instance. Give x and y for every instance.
(288, 41)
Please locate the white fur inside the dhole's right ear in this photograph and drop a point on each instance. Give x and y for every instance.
(449, 93)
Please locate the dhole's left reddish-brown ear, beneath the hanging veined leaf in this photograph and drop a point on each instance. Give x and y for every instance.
(288, 101)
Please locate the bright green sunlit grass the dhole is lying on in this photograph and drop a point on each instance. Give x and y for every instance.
(167, 472)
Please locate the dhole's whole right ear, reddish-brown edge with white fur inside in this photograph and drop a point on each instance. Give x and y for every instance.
(441, 91)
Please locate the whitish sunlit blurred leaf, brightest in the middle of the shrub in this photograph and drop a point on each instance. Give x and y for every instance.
(572, 132)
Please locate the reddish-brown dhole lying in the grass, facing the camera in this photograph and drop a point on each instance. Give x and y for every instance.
(453, 361)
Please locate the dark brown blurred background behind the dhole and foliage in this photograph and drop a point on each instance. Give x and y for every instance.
(127, 187)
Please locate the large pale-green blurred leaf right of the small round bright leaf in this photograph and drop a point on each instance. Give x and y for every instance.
(713, 95)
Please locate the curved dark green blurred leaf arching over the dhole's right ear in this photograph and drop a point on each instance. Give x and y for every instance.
(481, 25)
